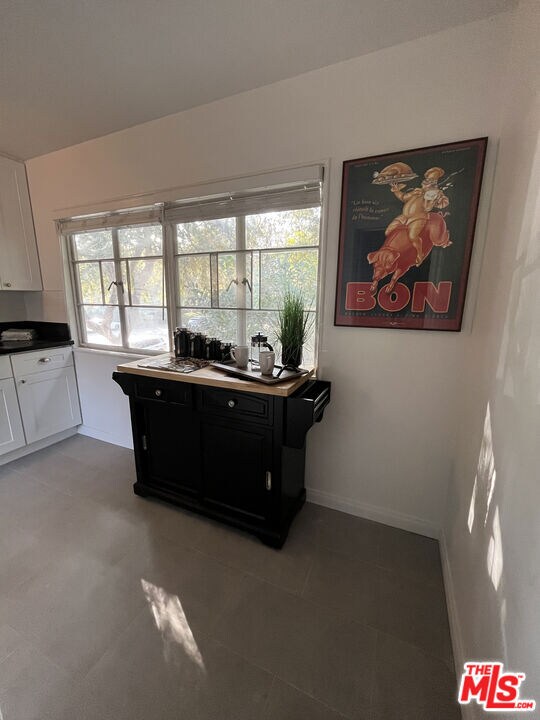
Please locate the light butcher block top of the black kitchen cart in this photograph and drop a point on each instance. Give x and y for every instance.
(217, 378)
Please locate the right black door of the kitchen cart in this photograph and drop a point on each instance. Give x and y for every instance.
(236, 462)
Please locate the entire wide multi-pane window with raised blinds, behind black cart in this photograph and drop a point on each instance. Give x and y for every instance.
(218, 265)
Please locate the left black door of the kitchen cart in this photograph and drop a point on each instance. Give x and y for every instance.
(170, 447)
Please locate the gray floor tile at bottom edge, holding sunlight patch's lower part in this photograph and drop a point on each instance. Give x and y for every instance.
(171, 673)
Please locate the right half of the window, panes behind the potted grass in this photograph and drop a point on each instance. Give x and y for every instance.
(232, 272)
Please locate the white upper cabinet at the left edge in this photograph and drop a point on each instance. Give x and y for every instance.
(19, 264)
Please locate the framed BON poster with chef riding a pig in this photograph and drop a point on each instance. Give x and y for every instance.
(406, 235)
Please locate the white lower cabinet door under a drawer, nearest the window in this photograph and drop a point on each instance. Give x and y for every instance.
(49, 403)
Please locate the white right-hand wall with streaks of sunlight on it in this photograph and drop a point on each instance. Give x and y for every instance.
(493, 521)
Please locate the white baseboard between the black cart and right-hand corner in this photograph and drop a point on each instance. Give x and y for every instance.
(374, 512)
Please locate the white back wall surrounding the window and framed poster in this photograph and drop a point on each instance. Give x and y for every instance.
(386, 446)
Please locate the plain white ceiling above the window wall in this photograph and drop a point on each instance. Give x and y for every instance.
(72, 70)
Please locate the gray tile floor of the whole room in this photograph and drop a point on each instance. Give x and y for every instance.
(114, 607)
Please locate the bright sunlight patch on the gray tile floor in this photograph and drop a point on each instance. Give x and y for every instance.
(171, 621)
